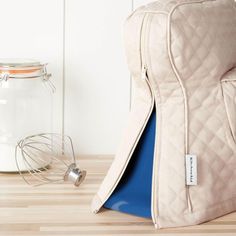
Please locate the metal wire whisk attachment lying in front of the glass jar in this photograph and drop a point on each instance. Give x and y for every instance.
(47, 158)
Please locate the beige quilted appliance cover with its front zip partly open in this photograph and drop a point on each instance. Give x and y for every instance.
(189, 51)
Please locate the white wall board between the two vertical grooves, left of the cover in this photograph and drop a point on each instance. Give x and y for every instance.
(97, 84)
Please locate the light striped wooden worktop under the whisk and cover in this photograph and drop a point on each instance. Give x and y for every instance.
(62, 209)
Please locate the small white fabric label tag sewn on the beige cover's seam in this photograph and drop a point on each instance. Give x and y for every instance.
(191, 169)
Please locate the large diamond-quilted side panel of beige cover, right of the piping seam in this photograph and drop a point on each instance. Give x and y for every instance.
(204, 48)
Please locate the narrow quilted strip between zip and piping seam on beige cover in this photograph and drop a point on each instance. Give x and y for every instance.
(171, 196)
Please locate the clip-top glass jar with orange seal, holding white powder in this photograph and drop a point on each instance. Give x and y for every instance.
(25, 105)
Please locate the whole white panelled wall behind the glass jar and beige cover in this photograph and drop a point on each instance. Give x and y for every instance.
(91, 72)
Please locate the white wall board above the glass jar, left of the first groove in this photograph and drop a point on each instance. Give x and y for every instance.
(31, 30)
